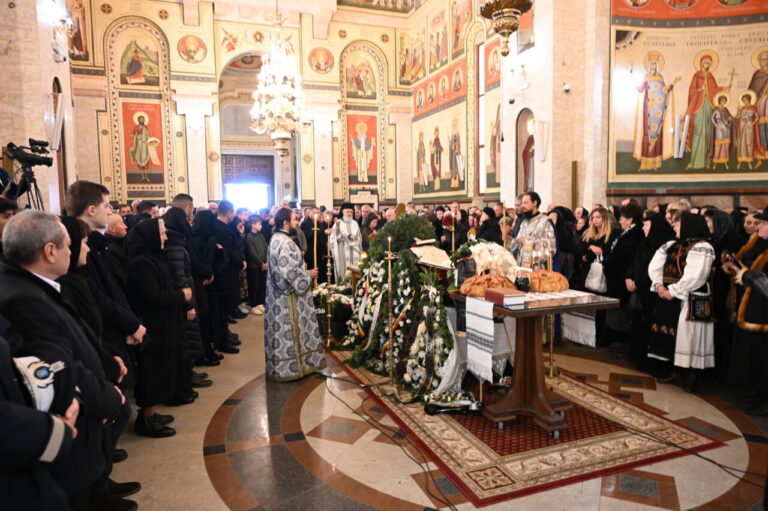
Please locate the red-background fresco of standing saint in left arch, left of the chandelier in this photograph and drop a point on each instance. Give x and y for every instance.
(142, 134)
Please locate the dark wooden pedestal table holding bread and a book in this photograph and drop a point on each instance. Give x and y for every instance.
(528, 394)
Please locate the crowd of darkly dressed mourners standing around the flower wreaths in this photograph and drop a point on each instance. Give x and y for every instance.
(108, 305)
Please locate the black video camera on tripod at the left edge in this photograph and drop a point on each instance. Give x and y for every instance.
(27, 157)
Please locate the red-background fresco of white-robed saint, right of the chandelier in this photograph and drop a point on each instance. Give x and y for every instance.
(363, 149)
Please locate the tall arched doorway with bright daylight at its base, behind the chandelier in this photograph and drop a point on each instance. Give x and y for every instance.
(248, 159)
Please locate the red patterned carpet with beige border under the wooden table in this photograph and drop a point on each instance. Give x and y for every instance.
(606, 435)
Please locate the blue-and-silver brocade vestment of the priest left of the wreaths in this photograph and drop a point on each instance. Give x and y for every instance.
(291, 336)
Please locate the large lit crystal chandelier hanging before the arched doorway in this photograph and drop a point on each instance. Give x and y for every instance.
(279, 98)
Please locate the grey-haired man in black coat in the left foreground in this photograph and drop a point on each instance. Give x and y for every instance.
(37, 253)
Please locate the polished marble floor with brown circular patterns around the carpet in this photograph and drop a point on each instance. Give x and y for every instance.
(319, 444)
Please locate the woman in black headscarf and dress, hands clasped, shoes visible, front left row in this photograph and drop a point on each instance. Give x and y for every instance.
(161, 306)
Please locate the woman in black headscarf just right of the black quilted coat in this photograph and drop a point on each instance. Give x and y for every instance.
(215, 258)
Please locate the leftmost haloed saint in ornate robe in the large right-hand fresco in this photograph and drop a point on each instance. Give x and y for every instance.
(654, 142)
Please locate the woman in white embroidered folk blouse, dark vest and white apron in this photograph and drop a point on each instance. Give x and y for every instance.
(678, 268)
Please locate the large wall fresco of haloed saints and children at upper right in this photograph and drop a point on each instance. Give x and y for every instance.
(689, 107)
